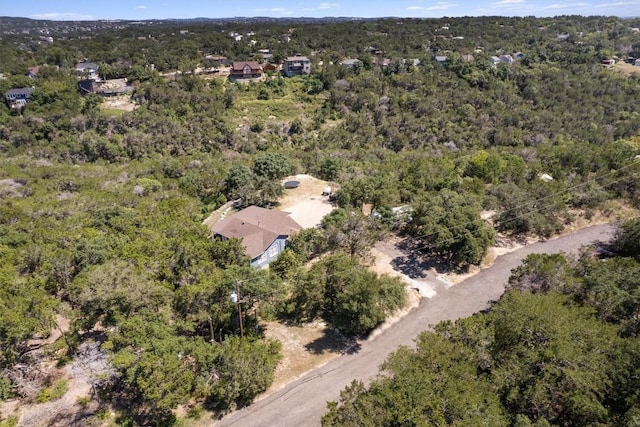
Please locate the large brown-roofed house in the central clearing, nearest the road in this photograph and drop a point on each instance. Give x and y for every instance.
(264, 233)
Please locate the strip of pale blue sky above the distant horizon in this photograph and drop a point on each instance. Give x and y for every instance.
(181, 9)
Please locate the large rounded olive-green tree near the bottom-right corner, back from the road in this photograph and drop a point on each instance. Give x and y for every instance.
(552, 358)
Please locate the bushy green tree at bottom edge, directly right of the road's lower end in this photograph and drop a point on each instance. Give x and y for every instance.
(435, 384)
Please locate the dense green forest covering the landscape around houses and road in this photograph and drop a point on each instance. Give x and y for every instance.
(101, 215)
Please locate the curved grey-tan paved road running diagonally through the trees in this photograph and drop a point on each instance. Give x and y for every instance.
(302, 402)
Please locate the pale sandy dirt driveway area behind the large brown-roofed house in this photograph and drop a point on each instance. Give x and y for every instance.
(306, 203)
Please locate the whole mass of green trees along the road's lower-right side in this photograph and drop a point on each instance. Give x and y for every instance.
(561, 347)
